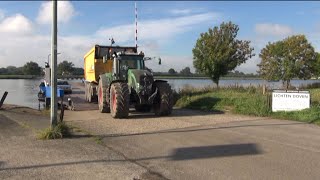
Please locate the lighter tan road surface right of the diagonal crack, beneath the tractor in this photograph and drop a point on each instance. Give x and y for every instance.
(196, 145)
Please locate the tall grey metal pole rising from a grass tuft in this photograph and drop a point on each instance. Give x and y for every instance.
(54, 104)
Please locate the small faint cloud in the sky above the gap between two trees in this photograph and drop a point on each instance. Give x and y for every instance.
(273, 29)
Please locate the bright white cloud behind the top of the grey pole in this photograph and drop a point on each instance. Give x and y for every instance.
(66, 12)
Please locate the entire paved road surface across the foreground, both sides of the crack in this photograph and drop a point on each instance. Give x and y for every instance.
(186, 145)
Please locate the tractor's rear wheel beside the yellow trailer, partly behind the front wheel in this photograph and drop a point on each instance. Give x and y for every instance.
(103, 97)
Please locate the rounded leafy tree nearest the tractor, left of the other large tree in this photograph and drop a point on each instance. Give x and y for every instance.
(218, 51)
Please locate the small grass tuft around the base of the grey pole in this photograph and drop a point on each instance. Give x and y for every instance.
(58, 132)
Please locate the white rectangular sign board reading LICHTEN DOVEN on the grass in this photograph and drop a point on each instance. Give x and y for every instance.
(290, 101)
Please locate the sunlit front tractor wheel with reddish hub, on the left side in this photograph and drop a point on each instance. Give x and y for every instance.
(119, 100)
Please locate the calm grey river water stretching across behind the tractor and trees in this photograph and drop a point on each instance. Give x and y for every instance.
(24, 91)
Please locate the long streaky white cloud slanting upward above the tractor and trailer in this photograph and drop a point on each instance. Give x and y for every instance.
(156, 29)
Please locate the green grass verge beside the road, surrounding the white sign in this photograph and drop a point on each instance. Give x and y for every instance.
(246, 101)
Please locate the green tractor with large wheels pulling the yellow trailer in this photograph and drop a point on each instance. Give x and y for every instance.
(130, 83)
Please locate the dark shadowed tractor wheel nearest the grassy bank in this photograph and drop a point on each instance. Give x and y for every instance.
(163, 101)
